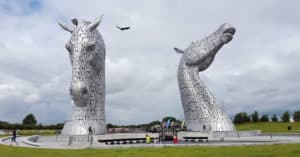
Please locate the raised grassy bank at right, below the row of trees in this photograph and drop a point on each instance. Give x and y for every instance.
(267, 127)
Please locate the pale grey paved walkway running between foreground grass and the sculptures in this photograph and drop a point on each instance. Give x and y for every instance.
(228, 141)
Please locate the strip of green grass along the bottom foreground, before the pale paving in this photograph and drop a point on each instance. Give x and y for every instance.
(232, 151)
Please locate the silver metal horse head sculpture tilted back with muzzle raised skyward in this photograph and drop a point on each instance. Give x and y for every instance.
(200, 108)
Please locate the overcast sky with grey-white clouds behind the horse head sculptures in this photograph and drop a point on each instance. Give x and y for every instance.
(258, 70)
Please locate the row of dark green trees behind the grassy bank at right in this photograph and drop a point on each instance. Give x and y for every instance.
(243, 117)
